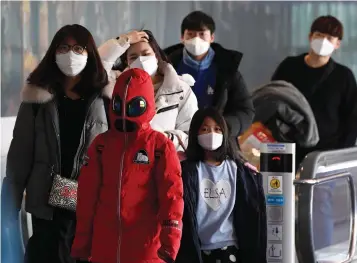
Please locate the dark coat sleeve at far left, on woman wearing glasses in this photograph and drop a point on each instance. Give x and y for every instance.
(19, 160)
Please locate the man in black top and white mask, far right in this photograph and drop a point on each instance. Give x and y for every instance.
(329, 87)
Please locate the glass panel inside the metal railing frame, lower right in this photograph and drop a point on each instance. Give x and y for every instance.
(332, 218)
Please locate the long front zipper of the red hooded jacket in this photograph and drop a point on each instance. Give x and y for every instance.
(122, 168)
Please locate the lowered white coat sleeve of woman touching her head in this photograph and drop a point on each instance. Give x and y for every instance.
(184, 117)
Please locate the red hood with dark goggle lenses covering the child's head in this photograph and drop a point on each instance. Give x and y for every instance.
(130, 86)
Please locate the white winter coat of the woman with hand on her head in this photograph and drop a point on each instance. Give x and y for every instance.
(175, 101)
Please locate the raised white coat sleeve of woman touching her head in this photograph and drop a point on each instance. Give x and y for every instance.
(109, 52)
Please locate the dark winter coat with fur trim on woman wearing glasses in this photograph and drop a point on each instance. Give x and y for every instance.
(35, 148)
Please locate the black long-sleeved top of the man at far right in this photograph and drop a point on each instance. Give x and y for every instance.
(332, 95)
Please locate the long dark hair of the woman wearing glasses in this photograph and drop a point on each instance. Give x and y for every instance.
(48, 76)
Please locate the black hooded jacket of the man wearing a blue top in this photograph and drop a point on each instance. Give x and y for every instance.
(231, 94)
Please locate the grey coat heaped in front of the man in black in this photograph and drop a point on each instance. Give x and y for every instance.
(286, 112)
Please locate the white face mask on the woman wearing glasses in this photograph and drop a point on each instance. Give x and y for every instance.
(70, 63)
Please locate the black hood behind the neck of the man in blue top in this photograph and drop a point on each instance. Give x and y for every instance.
(227, 60)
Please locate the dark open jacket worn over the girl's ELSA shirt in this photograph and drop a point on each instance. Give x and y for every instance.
(249, 216)
